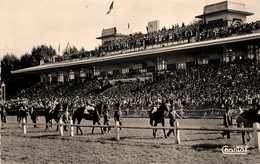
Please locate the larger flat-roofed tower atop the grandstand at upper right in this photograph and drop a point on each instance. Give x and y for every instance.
(224, 14)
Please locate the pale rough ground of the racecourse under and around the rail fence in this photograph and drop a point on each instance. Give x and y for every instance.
(135, 146)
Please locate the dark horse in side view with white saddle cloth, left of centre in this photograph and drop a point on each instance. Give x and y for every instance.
(92, 114)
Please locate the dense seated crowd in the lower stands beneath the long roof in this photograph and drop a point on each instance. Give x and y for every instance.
(200, 86)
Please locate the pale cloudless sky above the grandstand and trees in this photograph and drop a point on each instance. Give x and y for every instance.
(28, 23)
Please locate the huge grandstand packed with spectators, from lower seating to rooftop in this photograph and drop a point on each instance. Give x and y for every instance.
(203, 65)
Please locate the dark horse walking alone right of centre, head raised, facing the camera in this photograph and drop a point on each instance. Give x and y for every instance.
(157, 117)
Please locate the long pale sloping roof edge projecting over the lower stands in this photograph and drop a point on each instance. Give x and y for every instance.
(78, 62)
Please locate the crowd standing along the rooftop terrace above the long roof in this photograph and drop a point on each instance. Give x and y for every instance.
(177, 34)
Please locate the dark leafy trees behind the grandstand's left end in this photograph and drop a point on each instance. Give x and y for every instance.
(17, 82)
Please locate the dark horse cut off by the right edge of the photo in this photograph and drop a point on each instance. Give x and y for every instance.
(248, 118)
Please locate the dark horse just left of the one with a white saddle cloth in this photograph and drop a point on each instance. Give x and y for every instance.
(56, 114)
